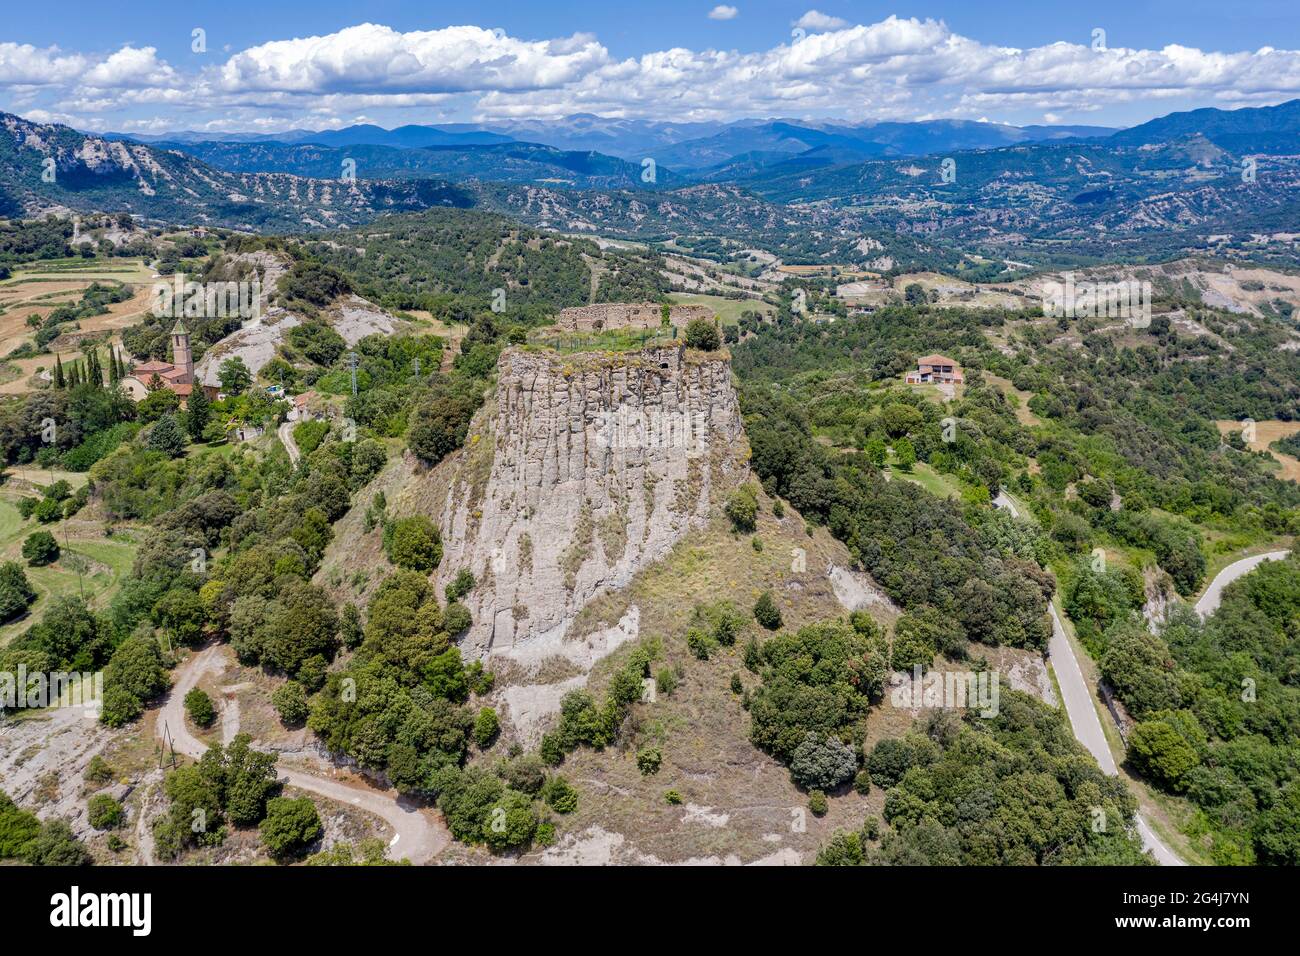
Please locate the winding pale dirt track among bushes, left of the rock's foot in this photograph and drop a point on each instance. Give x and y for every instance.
(418, 837)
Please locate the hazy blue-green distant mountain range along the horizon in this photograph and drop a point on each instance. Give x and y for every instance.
(850, 194)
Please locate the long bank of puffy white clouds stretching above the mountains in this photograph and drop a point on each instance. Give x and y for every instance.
(896, 68)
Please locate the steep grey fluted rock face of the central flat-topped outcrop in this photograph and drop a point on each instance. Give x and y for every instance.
(599, 464)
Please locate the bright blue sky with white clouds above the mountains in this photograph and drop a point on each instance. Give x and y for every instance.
(151, 67)
